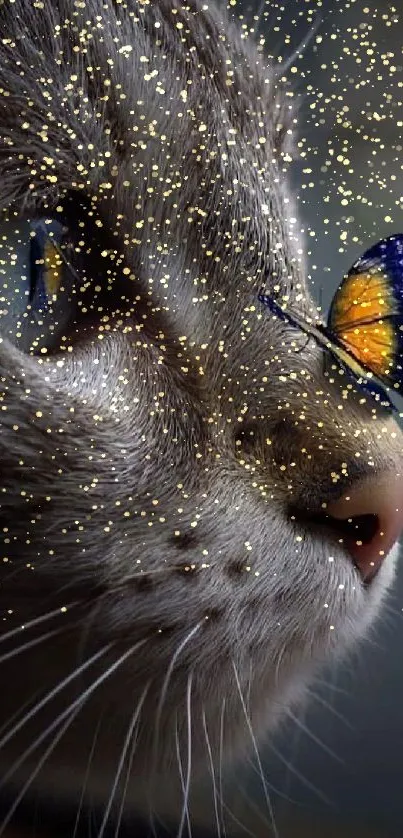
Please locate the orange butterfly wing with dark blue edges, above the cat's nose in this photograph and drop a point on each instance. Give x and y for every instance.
(366, 315)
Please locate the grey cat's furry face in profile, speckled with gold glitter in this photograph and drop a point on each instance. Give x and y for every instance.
(164, 461)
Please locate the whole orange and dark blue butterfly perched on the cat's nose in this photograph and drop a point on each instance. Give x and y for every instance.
(364, 331)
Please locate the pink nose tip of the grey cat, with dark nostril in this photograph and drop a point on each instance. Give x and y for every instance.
(370, 517)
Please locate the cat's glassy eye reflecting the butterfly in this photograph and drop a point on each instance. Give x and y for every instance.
(37, 282)
